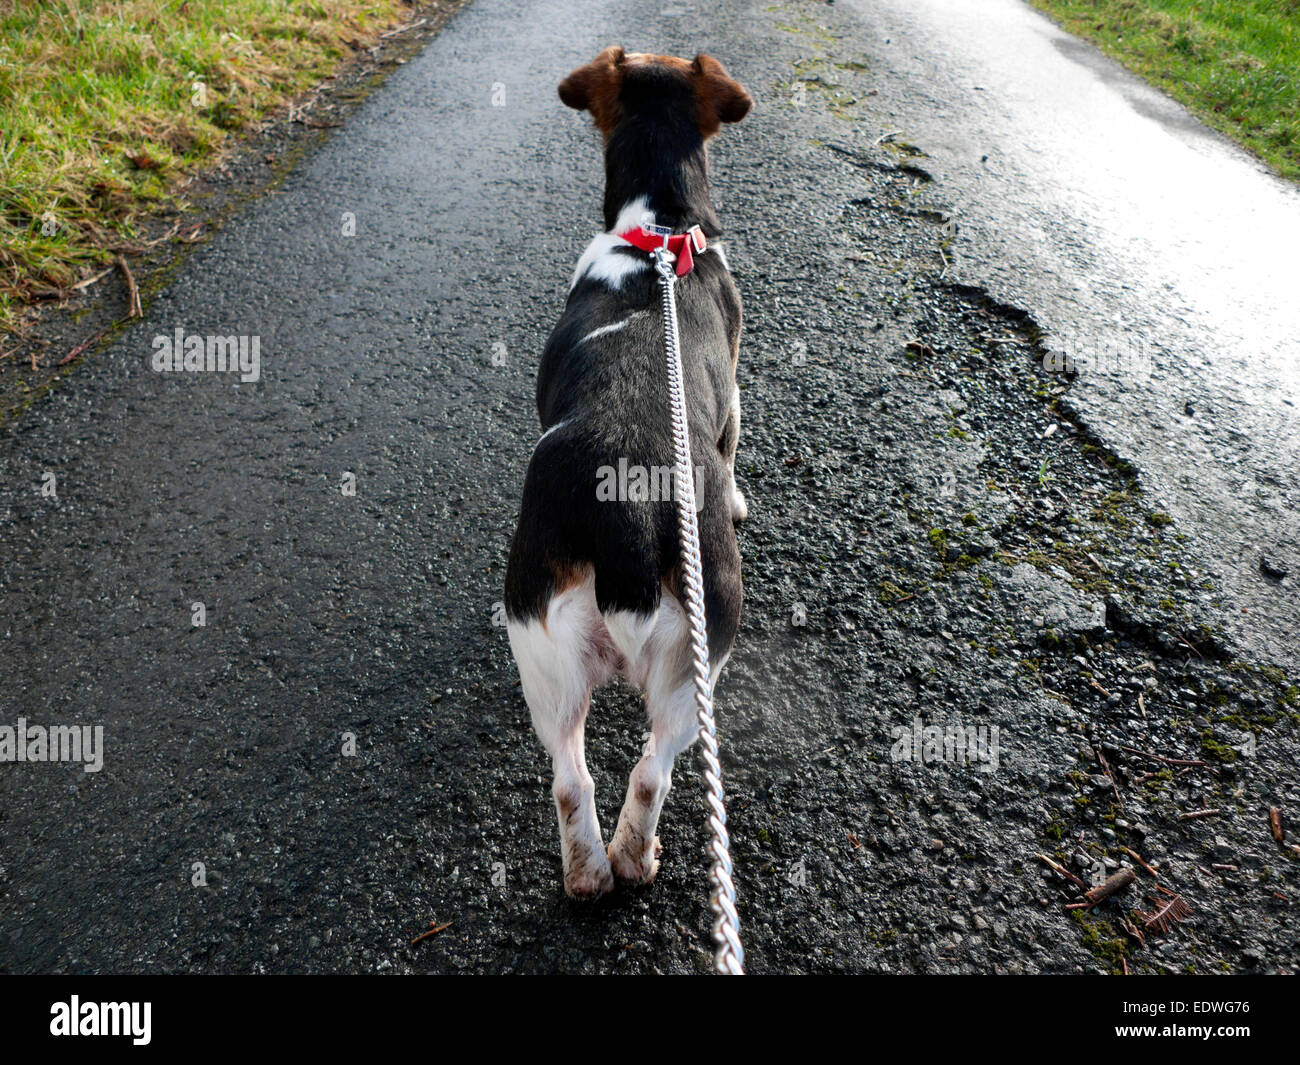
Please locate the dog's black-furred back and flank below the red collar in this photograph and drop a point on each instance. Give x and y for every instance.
(604, 395)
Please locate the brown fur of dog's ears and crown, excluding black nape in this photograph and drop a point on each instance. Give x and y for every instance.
(599, 88)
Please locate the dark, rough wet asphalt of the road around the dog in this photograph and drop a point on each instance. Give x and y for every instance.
(235, 829)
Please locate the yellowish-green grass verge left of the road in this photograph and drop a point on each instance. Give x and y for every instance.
(107, 105)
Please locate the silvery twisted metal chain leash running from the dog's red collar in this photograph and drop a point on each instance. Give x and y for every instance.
(729, 955)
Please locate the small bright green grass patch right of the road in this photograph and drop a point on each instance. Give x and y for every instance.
(1236, 63)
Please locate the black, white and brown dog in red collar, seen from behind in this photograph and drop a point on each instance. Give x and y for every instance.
(593, 587)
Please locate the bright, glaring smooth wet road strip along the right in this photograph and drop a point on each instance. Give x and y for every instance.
(1155, 254)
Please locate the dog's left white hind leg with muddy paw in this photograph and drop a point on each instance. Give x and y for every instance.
(560, 663)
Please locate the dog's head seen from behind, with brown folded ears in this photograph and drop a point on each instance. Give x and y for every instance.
(619, 85)
